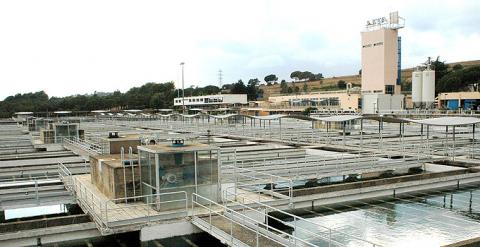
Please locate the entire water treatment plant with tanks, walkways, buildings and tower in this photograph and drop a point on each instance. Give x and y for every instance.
(361, 169)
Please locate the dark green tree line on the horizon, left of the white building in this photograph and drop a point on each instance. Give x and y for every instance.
(150, 95)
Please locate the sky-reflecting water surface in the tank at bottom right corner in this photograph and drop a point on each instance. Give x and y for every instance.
(418, 220)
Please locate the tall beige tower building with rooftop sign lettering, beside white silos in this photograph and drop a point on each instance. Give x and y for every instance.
(381, 64)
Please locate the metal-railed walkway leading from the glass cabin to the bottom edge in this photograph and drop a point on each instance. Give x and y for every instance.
(251, 224)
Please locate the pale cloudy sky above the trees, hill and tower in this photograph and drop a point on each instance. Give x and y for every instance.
(76, 47)
